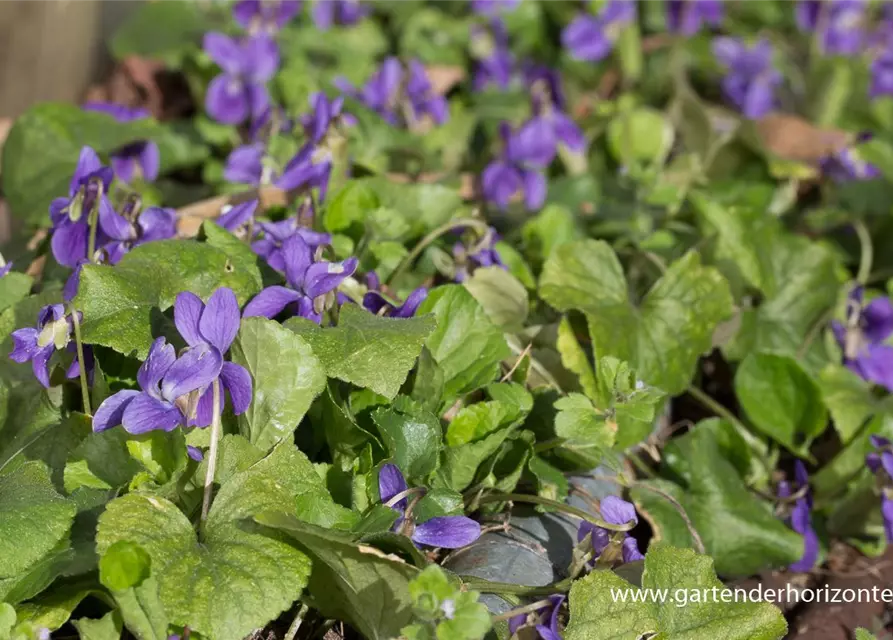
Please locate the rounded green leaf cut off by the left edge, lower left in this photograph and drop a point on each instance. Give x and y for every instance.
(34, 519)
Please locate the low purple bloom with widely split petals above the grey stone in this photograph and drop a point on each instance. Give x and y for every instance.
(447, 532)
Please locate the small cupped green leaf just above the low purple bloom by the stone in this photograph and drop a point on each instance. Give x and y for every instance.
(413, 438)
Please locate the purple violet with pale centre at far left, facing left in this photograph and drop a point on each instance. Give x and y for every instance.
(52, 332)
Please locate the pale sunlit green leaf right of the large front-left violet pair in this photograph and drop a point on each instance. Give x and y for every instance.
(287, 376)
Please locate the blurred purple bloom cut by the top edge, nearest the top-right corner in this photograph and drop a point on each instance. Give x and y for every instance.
(840, 24)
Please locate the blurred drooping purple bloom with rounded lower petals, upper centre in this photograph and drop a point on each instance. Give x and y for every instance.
(516, 171)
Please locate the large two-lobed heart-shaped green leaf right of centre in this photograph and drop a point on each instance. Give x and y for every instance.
(663, 338)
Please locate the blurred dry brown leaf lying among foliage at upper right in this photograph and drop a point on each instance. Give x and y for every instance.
(792, 138)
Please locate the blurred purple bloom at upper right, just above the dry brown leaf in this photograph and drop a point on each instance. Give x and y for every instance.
(751, 80)
